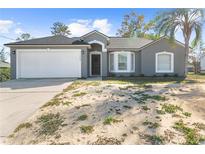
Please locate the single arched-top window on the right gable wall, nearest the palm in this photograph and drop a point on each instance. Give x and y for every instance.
(164, 62)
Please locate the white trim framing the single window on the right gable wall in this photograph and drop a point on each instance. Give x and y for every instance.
(172, 62)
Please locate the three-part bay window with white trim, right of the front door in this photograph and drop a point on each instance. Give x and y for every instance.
(123, 61)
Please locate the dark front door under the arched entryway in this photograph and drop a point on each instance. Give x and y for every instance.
(95, 64)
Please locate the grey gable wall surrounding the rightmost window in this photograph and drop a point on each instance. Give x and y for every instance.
(148, 58)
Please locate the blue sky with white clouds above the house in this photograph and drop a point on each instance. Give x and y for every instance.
(37, 22)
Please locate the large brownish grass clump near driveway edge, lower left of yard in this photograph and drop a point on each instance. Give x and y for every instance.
(50, 123)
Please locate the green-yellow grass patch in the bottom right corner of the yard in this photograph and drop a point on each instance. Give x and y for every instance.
(191, 135)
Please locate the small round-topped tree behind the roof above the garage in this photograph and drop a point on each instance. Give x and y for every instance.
(60, 28)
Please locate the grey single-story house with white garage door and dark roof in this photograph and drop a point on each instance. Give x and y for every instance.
(95, 54)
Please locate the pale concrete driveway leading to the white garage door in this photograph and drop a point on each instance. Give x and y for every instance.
(19, 99)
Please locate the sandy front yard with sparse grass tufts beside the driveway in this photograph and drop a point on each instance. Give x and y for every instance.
(104, 112)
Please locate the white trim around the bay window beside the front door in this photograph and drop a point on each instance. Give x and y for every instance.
(116, 70)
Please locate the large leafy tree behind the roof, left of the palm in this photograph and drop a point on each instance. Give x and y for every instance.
(133, 25)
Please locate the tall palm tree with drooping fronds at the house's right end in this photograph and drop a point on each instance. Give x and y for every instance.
(186, 20)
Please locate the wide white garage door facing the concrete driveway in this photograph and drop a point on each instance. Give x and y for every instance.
(52, 63)
